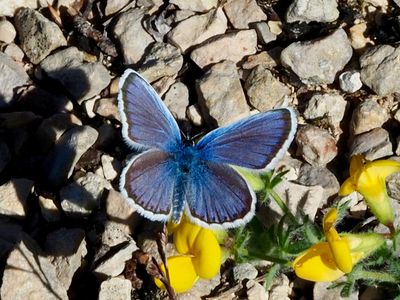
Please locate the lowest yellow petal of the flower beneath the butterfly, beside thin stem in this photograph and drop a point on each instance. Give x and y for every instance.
(181, 273)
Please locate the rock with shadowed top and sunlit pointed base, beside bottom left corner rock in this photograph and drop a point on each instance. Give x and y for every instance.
(66, 248)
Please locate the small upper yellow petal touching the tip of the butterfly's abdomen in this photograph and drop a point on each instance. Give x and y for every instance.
(185, 235)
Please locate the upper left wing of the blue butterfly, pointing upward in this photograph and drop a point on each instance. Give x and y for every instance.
(146, 121)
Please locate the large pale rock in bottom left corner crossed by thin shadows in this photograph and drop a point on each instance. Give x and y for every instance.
(30, 275)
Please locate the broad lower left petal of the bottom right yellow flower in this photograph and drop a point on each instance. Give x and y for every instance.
(317, 264)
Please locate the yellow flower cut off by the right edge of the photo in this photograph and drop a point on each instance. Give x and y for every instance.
(369, 180)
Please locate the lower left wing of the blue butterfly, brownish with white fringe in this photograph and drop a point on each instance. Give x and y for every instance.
(148, 183)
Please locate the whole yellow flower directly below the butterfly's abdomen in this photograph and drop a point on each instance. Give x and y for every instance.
(200, 256)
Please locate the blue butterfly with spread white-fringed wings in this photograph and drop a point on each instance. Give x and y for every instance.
(173, 176)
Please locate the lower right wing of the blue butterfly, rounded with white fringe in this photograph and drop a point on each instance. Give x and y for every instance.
(217, 196)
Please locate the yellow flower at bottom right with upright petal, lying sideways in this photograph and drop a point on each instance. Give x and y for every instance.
(330, 260)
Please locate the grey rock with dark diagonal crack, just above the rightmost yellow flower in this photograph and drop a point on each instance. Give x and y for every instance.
(373, 144)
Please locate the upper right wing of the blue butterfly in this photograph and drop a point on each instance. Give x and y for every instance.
(257, 142)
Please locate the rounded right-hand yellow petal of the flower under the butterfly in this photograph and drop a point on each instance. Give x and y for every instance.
(206, 254)
